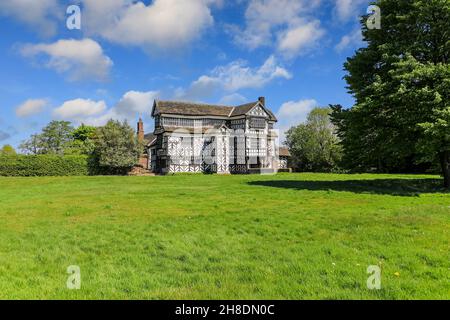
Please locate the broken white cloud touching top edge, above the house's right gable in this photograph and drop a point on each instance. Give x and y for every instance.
(285, 21)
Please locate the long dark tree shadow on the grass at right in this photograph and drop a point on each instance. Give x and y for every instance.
(395, 187)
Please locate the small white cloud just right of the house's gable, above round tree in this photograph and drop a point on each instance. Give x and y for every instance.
(293, 113)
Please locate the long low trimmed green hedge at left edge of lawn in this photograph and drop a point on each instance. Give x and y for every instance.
(45, 165)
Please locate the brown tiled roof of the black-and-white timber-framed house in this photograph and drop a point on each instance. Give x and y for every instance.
(199, 109)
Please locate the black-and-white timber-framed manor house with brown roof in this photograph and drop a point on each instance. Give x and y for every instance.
(191, 137)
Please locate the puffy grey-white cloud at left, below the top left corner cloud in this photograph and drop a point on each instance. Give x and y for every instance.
(78, 59)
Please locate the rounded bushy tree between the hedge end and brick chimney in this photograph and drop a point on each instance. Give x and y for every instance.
(116, 146)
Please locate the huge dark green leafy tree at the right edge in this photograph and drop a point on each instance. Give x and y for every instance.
(400, 81)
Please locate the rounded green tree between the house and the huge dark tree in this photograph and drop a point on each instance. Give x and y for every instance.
(314, 145)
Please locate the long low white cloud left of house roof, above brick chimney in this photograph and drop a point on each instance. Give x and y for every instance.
(131, 105)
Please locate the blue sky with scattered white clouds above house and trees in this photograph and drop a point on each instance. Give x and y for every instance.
(128, 53)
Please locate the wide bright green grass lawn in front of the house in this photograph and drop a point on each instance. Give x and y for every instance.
(290, 236)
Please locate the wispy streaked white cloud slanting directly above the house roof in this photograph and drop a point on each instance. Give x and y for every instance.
(235, 76)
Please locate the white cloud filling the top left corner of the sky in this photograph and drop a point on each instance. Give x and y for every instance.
(40, 15)
